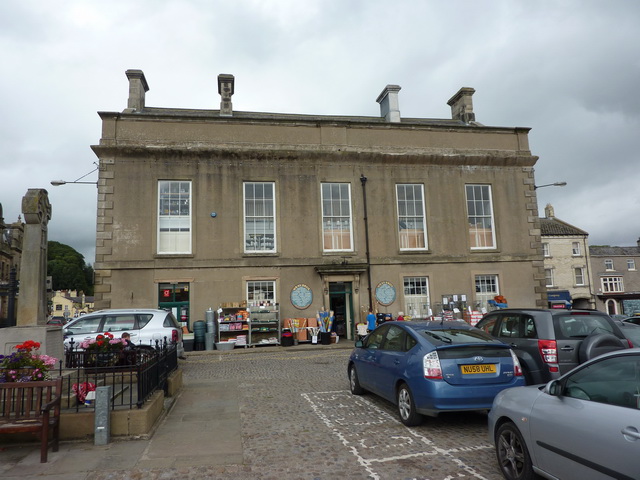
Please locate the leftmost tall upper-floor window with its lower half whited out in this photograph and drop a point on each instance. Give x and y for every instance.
(174, 217)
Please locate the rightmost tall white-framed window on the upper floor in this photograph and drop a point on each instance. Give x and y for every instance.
(480, 217)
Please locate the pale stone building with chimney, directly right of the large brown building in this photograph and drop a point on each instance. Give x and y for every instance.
(566, 263)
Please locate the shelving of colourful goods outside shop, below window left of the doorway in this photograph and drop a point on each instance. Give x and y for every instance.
(248, 325)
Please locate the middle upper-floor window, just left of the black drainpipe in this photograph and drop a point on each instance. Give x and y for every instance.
(337, 228)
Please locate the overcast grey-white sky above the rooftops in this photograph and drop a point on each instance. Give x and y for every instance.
(567, 69)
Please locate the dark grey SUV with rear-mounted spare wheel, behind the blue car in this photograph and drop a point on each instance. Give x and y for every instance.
(551, 342)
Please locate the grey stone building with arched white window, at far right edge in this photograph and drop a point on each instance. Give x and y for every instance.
(616, 278)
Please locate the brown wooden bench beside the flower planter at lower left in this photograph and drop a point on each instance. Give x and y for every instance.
(32, 407)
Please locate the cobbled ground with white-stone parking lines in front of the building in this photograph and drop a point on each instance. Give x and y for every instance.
(299, 421)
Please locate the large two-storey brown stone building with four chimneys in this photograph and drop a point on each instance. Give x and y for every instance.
(198, 208)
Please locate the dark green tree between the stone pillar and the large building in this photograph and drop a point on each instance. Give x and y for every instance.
(67, 269)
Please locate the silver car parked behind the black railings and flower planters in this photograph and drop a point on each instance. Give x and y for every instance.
(146, 326)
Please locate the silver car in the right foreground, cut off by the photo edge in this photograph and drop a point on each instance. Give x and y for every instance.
(584, 425)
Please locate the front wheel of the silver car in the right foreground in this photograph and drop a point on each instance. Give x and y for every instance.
(513, 456)
